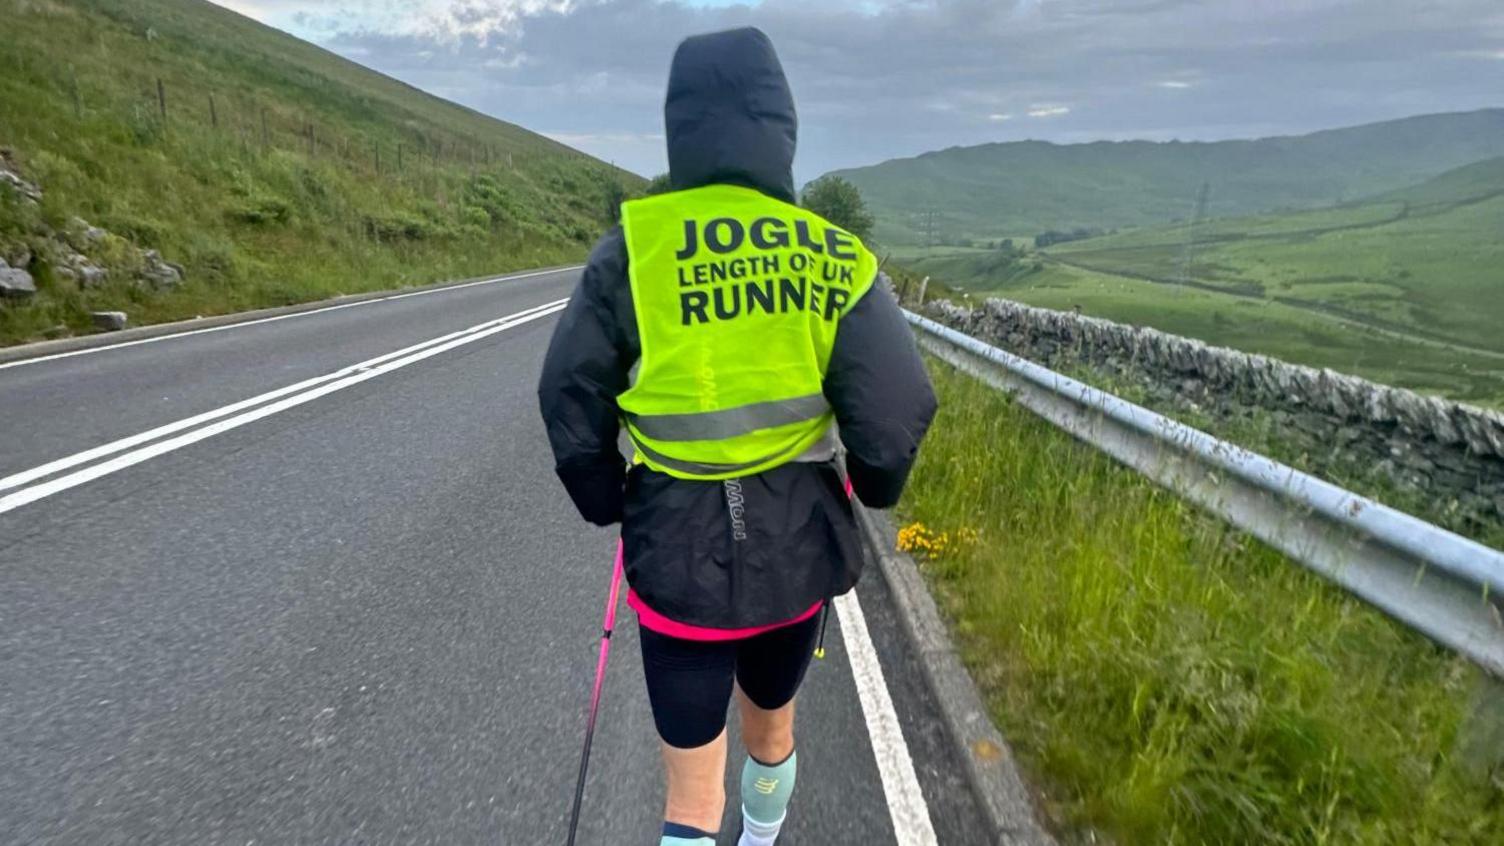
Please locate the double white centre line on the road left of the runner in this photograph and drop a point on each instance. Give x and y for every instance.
(360, 376)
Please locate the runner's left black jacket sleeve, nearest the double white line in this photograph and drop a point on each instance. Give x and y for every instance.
(586, 370)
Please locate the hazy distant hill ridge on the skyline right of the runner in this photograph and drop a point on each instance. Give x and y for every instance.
(1020, 189)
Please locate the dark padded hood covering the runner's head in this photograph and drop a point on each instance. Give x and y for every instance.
(730, 115)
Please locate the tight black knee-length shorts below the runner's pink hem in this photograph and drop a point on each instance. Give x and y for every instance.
(690, 681)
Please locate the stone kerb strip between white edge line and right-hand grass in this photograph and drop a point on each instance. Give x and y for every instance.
(986, 756)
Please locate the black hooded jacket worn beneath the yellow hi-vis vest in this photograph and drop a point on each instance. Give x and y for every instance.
(763, 549)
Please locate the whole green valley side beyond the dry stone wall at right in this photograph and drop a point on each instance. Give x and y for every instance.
(1405, 290)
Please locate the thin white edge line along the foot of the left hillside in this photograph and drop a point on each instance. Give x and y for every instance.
(46, 348)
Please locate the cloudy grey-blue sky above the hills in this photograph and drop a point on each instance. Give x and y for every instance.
(884, 79)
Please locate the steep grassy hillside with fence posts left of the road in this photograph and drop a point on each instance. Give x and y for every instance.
(265, 169)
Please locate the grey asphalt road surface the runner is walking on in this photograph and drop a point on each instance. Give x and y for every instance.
(357, 612)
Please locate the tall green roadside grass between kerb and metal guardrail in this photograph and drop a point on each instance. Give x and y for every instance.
(1168, 680)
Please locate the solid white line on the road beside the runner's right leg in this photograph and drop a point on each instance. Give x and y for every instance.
(906, 802)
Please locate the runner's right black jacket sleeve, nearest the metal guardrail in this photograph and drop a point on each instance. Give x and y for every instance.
(881, 394)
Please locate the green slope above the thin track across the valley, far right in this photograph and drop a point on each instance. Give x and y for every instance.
(1415, 261)
